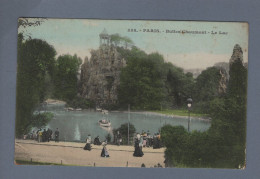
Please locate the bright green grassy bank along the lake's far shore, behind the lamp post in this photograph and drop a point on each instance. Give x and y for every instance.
(180, 112)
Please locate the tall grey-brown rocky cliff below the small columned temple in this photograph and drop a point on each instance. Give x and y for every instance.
(100, 75)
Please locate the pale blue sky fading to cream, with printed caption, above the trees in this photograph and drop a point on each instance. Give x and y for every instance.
(79, 36)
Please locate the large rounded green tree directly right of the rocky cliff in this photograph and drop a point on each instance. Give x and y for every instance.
(141, 83)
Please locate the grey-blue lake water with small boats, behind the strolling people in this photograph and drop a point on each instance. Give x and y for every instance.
(76, 125)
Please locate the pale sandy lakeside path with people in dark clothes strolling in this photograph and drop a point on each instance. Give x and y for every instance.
(72, 153)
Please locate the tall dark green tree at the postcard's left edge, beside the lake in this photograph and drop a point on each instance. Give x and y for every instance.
(35, 60)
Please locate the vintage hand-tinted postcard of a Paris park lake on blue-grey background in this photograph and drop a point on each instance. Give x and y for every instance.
(131, 93)
